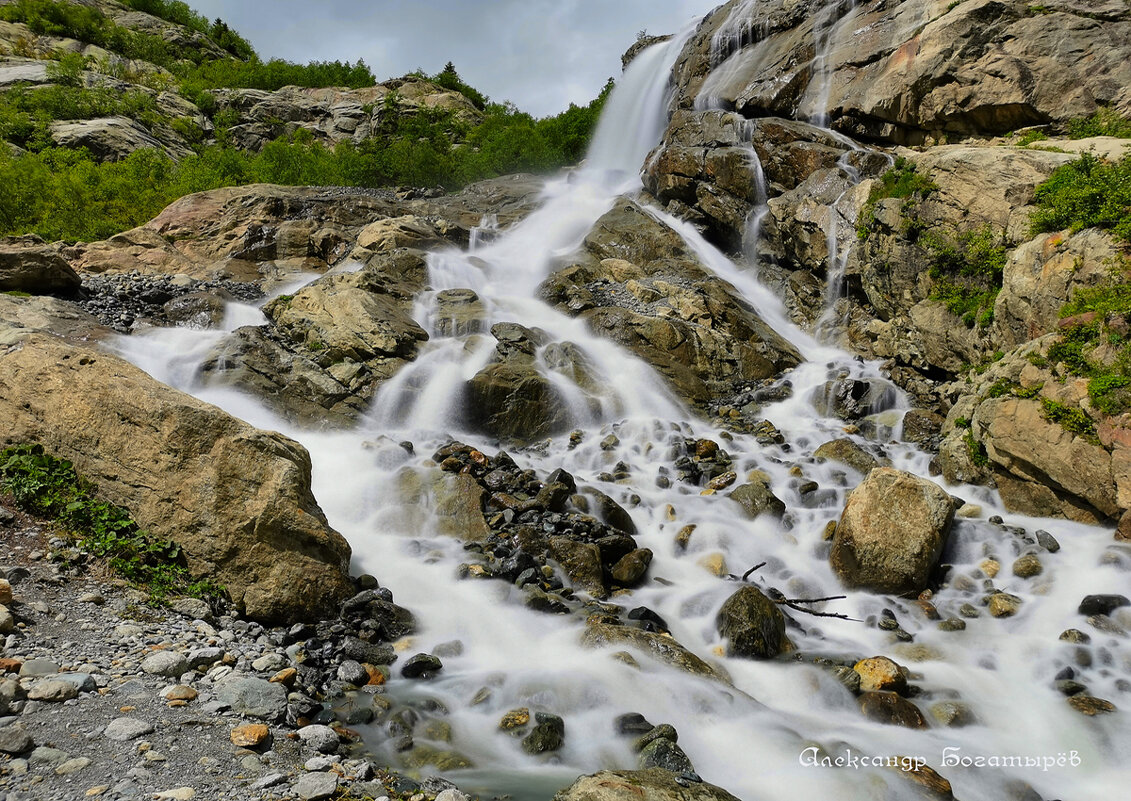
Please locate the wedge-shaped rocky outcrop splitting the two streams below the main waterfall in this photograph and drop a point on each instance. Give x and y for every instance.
(636, 282)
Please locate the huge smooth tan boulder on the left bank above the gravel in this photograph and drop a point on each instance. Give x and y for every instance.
(237, 499)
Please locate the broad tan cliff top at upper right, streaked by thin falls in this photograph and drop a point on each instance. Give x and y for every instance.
(912, 71)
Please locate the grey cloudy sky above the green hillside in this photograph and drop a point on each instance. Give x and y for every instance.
(542, 55)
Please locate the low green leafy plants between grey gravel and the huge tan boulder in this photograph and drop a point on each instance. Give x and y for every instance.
(50, 488)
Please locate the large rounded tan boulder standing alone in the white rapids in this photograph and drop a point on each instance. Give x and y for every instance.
(892, 533)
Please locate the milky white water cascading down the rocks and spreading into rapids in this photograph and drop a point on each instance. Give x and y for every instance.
(749, 738)
